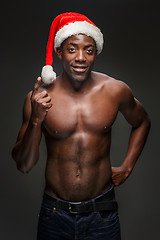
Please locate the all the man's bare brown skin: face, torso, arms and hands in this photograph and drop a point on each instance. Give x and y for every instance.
(76, 114)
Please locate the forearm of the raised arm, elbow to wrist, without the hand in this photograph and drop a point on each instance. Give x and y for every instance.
(26, 151)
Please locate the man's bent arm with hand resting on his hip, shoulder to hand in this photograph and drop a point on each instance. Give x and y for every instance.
(135, 114)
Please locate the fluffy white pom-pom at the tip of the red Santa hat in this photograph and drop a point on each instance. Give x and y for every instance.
(48, 75)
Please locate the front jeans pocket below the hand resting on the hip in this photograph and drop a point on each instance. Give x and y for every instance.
(108, 216)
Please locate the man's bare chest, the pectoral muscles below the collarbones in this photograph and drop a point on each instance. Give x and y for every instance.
(91, 113)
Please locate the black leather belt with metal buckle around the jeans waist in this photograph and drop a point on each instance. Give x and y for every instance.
(106, 202)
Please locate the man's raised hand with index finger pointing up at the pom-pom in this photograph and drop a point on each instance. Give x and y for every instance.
(40, 102)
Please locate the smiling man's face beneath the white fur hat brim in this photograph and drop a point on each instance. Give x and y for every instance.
(78, 54)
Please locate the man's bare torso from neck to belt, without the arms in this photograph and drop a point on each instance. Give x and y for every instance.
(77, 130)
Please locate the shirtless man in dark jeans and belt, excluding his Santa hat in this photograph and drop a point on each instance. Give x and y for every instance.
(76, 113)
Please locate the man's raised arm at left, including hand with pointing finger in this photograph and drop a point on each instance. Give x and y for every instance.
(26, 150)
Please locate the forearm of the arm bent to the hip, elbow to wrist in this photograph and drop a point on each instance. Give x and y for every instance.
(137, 141)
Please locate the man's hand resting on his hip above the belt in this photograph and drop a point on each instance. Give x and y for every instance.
(119, 175)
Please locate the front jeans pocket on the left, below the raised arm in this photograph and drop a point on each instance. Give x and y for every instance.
(46, 212)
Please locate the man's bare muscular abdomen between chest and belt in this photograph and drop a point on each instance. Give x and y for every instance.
(78, 170)
